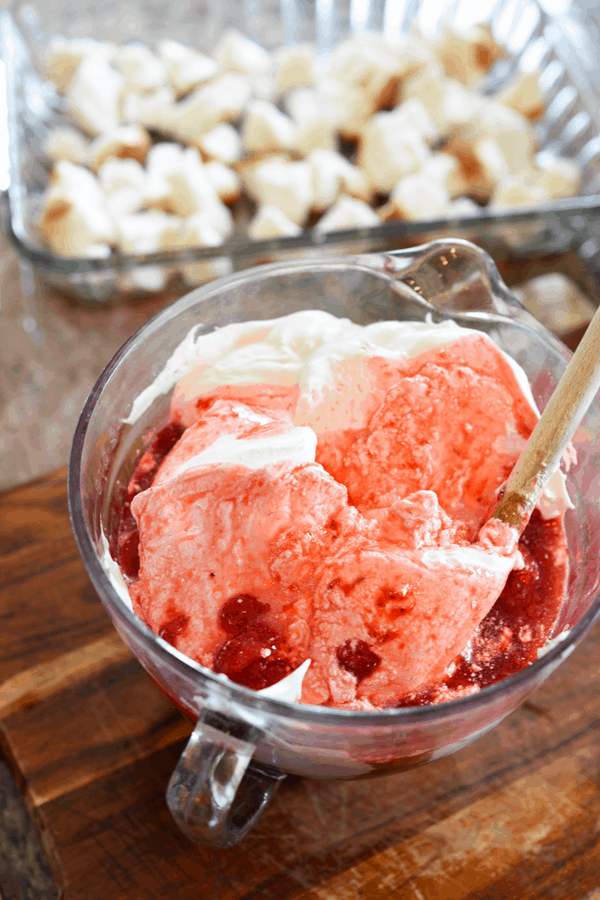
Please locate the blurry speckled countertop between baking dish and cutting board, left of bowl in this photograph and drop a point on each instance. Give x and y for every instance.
(51, 352)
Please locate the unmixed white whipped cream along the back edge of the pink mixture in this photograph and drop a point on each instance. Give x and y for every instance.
(300, 348)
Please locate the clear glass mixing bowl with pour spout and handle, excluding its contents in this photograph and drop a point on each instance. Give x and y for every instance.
(244, 743)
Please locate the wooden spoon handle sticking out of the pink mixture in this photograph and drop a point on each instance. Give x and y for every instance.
(552, 434)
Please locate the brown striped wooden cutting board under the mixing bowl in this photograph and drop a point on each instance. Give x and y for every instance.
(92, 742)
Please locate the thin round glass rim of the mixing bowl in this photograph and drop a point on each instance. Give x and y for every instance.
(307, 713)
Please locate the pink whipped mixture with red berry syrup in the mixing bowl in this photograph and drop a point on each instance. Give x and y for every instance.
(378, 561)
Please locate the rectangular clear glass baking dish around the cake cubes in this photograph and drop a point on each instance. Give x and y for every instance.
(559, 47)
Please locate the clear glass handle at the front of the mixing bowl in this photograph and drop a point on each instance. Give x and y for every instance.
(217, 791)
